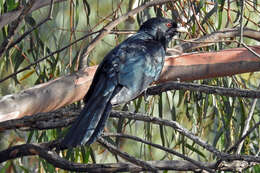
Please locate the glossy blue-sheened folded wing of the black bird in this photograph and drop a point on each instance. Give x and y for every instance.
(140, 63)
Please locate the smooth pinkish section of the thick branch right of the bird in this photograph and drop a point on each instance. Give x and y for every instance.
(209, 65)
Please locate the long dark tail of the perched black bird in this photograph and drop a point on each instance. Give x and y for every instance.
(92, 118)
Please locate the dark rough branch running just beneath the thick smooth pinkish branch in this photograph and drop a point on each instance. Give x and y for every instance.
(56, 118)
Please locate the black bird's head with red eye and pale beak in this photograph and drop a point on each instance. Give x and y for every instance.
(161, 29)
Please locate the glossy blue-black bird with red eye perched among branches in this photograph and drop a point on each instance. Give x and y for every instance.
(125, 72)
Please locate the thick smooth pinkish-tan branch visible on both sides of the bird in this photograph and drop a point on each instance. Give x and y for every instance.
(68, 89)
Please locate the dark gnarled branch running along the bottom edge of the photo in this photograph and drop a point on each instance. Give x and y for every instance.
(45, 151)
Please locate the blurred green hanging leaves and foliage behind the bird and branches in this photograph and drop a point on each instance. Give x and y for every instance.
(220, 120)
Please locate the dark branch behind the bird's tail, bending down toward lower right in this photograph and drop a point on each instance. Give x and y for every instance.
(41, 120)
